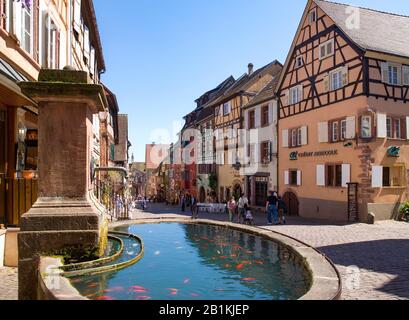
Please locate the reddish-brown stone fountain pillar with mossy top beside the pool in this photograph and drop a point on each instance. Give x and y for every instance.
(64, 217)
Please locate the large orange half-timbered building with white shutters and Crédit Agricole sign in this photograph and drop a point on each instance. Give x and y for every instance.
(344, 116)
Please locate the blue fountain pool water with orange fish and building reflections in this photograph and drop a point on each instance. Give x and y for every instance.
(188, 262)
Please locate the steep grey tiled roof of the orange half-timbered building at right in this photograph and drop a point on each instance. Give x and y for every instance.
(378, 31)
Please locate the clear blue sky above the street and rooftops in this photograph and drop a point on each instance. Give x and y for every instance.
(163, 54)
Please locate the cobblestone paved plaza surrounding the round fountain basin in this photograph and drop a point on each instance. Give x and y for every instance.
(373, 259)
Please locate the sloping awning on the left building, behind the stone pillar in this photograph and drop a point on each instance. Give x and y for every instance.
(10, 92)
